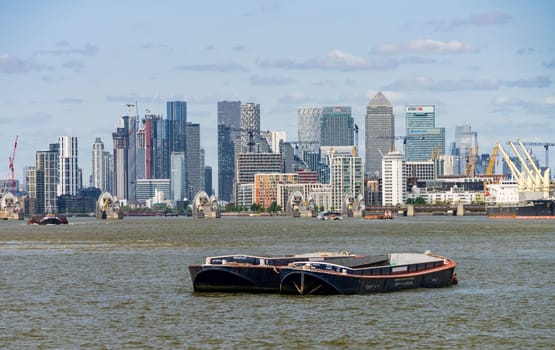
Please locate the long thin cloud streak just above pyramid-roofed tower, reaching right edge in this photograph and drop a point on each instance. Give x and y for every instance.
(422, 83)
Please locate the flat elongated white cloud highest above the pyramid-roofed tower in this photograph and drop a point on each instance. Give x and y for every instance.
(424, 46)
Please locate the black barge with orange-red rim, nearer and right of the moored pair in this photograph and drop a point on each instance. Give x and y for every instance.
(399, 271)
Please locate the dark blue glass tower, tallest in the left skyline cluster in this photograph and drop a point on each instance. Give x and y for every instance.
(177, 119)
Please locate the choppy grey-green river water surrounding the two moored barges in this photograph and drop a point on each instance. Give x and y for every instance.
(125, 284)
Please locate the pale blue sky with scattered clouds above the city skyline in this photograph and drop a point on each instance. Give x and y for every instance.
(70, 67)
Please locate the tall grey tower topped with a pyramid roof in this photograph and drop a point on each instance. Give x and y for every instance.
(379, 133)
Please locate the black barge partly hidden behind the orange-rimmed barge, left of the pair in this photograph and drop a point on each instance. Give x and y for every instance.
(248, 273)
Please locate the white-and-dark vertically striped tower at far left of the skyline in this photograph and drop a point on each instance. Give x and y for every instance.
(68, 183)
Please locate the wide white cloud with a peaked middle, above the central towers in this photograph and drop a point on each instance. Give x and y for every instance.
(334, 60)
